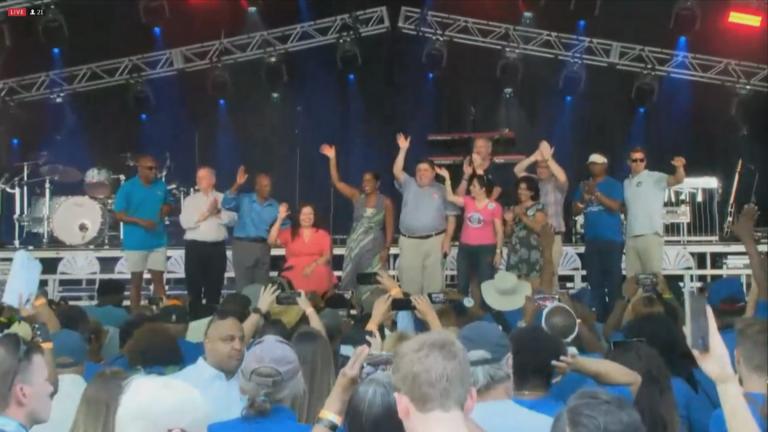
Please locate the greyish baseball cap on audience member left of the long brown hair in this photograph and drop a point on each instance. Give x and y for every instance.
(269, 362)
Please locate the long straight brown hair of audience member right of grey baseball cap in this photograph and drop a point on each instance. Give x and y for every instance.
(316, 359)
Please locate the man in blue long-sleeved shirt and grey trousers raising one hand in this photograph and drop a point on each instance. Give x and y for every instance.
(256, 212)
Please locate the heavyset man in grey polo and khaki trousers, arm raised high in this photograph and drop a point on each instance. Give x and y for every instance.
(427, 223)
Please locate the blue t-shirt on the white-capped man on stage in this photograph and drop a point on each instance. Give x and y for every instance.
(599, 222)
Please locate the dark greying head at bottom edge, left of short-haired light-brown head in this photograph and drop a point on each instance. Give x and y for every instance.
(372, 406)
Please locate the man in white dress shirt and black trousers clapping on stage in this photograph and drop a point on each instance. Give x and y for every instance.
(205, 250)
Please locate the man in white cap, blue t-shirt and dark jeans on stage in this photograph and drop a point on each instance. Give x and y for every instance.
(600, 199)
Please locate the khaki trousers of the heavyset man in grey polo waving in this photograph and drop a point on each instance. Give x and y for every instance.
(421, 265)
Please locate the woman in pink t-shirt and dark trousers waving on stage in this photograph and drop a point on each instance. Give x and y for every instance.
(482, 233)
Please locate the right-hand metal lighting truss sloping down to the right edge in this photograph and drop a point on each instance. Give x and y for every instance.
(598, 52)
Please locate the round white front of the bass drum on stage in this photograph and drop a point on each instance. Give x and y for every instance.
(77, 220)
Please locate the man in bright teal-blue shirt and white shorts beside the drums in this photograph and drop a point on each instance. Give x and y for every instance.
(142, 203)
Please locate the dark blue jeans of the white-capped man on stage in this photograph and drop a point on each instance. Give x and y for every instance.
(602, 261)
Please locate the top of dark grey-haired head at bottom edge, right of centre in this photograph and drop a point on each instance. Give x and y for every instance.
(594, 410)
